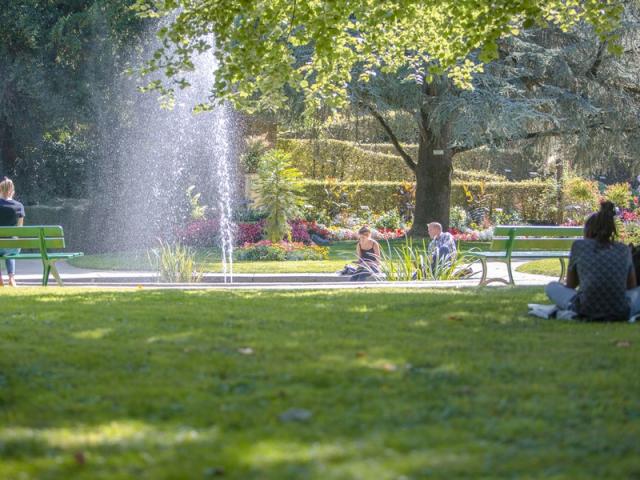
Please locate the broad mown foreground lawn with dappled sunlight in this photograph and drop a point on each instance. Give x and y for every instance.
(390, 384)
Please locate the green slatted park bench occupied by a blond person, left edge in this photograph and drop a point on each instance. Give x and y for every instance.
(42, 238)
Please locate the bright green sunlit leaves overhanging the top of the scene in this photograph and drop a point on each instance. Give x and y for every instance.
(265, 47)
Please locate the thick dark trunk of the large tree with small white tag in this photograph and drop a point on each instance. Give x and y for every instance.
(433, 178)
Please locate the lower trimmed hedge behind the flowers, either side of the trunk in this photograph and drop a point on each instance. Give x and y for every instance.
(533, 199)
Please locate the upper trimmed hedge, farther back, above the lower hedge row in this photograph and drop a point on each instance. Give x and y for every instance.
(348, 161)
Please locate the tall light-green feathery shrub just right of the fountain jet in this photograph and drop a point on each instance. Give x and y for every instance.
(280, 189)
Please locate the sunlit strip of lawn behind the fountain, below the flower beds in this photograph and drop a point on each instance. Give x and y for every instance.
(340, 253)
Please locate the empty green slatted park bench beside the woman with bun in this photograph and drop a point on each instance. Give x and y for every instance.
(527, 243)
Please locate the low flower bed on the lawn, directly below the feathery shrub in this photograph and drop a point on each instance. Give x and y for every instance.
(266, 250)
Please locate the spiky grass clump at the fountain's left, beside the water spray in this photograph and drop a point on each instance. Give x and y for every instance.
(174, 263)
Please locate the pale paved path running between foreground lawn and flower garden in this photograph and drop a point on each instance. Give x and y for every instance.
(30, 273)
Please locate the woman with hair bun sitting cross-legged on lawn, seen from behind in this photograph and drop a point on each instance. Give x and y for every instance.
(603, 270)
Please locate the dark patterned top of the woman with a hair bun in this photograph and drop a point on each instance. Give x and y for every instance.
(602, 273)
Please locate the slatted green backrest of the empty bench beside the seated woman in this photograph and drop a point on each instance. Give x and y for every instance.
(528, 238)
